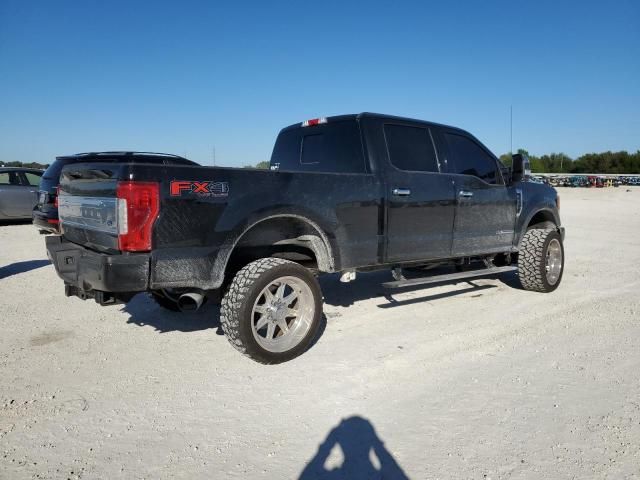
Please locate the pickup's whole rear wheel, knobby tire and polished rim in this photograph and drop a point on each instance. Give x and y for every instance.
(272, 310)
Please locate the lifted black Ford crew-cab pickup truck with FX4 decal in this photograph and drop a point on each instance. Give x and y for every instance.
(345, 194)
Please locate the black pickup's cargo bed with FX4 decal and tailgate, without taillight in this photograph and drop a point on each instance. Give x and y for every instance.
(204, 210)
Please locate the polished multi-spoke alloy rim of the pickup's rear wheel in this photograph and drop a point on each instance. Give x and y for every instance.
(282, 314)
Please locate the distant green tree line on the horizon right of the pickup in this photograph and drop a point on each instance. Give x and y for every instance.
(606, 162)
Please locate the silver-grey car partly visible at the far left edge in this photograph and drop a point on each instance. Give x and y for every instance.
(18, 192)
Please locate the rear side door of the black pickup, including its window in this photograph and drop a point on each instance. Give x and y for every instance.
(420, 199)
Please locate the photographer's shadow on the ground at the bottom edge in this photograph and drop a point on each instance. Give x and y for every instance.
(363, 454)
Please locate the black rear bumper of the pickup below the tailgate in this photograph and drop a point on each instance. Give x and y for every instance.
(88, 274)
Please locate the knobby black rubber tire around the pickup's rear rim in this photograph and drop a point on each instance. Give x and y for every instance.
(236, 312)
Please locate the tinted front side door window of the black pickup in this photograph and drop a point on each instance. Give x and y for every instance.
(471, 159)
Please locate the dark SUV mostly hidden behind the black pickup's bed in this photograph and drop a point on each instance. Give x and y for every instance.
(45, 214)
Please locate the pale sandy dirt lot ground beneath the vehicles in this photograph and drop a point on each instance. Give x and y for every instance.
(450, 382)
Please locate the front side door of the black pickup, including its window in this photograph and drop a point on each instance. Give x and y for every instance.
(485, 207)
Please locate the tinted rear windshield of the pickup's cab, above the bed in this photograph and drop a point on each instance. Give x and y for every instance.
(332, 147)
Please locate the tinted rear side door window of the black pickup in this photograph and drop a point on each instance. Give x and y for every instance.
(410, 148)
